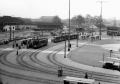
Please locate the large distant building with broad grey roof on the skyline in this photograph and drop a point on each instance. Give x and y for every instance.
(49, 23)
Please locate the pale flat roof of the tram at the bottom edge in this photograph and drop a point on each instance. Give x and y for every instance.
(82, 80)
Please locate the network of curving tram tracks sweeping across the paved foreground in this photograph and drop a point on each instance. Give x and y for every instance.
(23, 65)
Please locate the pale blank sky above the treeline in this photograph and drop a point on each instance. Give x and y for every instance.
(37, 8)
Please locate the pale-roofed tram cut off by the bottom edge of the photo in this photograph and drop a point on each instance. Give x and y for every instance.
(75, 80)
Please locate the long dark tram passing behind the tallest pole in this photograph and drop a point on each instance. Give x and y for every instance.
(61, 38)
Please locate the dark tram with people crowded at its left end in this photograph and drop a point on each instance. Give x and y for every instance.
(35, 43)
